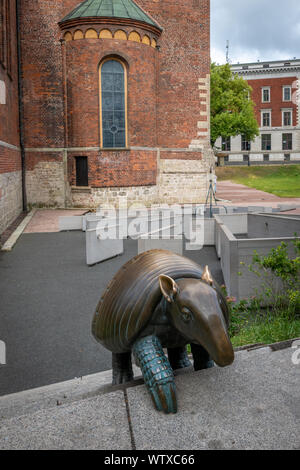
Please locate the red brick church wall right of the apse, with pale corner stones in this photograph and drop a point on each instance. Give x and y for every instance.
(184, 57)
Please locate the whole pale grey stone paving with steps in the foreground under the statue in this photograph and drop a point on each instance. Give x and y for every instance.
(253, 405)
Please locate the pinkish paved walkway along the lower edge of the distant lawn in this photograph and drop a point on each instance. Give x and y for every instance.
(240, 195)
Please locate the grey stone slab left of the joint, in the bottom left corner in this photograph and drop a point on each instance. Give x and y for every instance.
(95, 424)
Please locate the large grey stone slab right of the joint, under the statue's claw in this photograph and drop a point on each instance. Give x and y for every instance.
(254, 404)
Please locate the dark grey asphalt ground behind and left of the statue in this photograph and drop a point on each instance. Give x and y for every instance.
(48, 297)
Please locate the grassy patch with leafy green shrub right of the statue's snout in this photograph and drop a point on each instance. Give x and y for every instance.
(251, 322)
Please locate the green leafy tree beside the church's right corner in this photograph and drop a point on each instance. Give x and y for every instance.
(232, 110)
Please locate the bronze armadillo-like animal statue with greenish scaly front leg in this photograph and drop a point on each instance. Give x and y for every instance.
(162, 300)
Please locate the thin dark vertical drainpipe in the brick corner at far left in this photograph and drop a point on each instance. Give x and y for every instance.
(20, 104)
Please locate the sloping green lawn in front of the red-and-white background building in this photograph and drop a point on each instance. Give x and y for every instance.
(283, 181)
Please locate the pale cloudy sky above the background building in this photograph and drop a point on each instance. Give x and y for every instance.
(256, 29)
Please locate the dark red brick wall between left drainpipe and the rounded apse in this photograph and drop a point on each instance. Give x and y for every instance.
(42, 74)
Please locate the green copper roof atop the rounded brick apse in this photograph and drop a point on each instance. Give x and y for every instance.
(112, 9)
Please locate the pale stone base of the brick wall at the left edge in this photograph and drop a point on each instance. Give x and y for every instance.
(10, 198)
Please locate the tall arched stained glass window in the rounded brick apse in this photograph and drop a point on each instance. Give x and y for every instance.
(113, 104)
